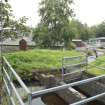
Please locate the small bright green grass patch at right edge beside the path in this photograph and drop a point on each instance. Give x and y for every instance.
(100, 62)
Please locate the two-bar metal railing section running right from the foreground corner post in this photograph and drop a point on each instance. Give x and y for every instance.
(59, 88)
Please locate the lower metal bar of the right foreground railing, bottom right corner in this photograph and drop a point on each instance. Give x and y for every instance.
(88, 99)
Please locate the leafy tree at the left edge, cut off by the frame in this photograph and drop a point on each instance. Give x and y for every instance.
(10, 27)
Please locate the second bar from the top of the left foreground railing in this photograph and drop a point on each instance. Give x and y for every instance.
(13, 87)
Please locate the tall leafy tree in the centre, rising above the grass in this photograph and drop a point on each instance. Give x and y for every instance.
(55, 15)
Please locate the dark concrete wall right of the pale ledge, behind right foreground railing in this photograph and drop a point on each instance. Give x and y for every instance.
(93, 88)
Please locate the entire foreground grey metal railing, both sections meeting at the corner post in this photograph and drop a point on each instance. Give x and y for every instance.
(9, 74)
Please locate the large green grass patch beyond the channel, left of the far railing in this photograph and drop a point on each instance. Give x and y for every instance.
(33, 60)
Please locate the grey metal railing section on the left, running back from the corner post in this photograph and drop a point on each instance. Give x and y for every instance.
(9, 75)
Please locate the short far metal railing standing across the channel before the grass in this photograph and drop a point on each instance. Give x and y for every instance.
(72, 65)
